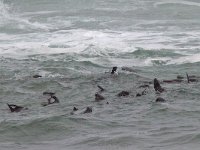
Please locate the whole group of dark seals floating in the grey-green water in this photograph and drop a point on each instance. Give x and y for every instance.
(98, 97)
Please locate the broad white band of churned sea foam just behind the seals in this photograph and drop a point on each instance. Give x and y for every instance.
(96, 43)
